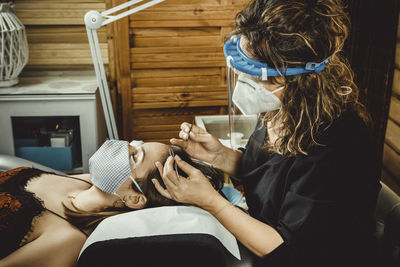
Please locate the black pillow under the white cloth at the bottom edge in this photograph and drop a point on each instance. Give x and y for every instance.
(163, 250)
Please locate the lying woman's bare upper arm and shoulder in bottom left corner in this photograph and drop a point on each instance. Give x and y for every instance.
(53, 248)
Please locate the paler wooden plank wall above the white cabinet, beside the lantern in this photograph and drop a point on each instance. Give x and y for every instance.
(56, 34)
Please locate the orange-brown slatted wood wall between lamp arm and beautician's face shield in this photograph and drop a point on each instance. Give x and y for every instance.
(177, 67)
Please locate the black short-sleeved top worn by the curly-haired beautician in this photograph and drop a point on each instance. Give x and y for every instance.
(322, 203)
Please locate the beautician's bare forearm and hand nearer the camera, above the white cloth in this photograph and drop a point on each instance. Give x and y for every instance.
(257, 236)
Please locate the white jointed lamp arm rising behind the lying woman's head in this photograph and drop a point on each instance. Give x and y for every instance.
(93, 21)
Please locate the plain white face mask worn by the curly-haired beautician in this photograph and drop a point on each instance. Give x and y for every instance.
(252, 98)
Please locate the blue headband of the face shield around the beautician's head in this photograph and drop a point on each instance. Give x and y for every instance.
(237, 59)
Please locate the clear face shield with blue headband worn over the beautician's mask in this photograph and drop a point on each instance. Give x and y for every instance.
(248, 99)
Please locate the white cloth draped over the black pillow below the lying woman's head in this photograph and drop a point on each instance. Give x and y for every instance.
(163, 221)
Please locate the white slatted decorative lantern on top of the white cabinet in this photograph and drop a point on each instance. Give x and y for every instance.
(14, 51)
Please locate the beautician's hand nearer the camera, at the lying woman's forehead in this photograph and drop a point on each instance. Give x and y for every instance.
(195, 189)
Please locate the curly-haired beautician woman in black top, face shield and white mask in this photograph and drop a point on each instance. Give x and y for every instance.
(309, 170)
